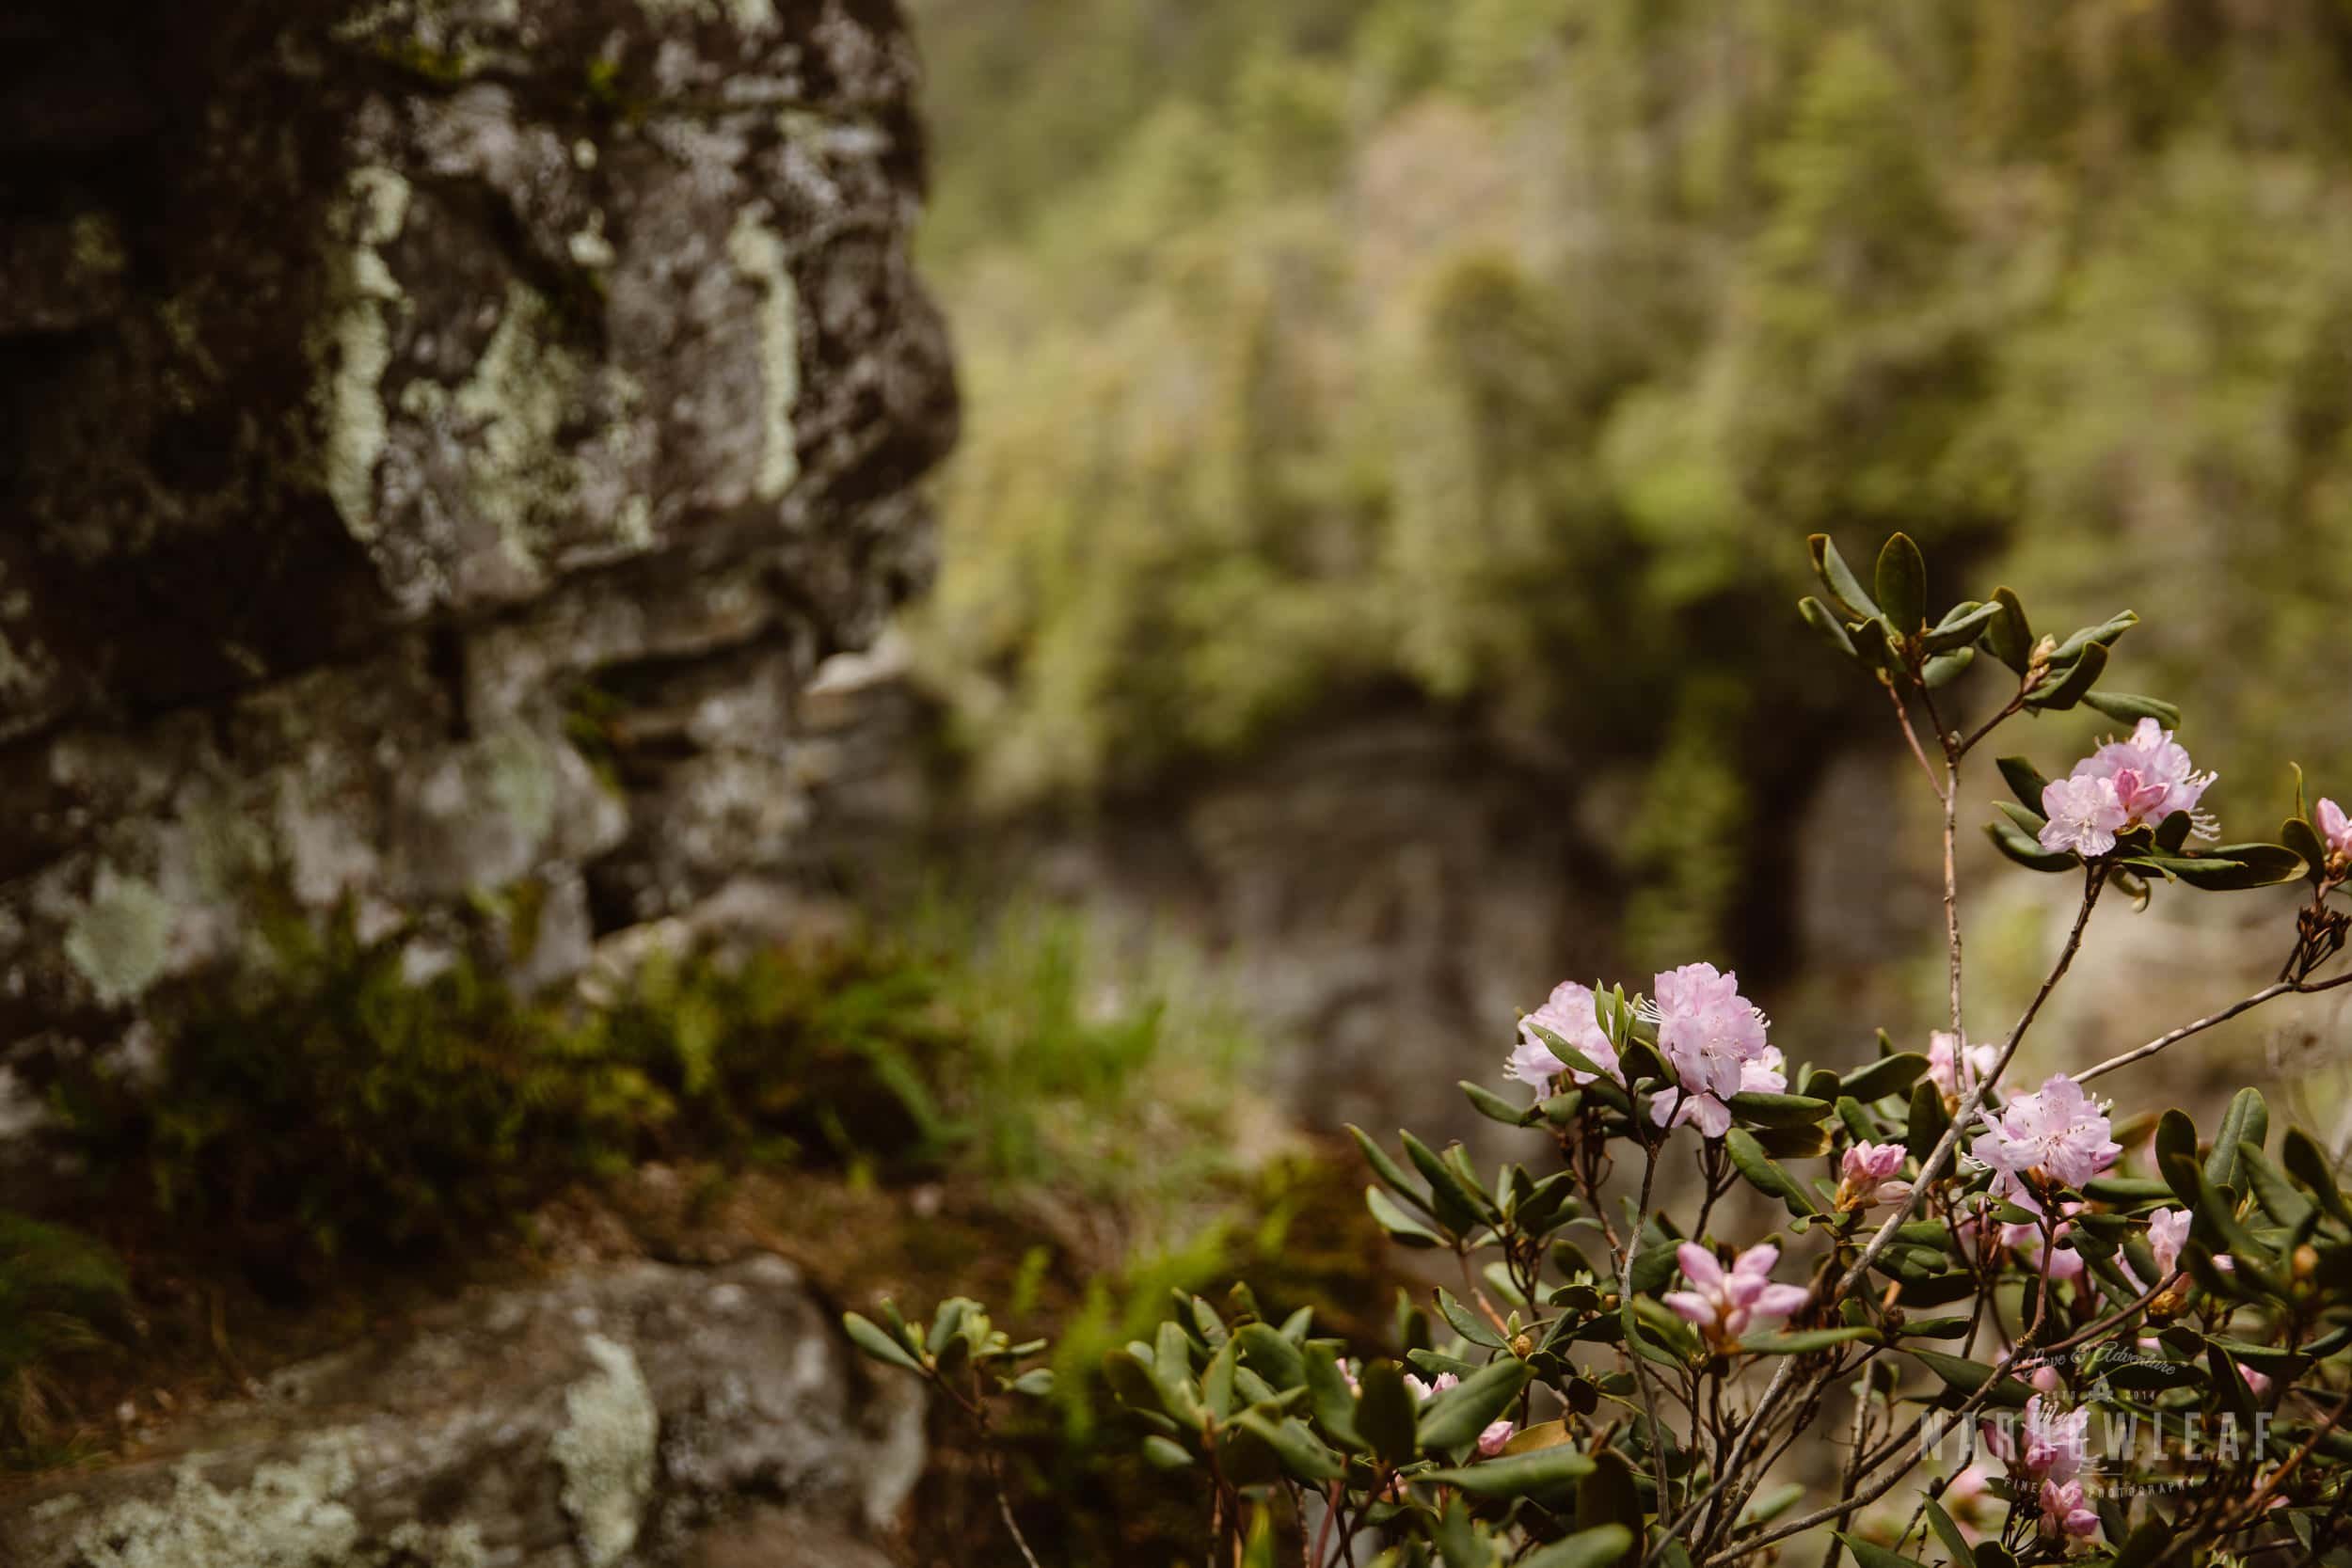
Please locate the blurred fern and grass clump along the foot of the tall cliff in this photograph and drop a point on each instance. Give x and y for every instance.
(345, 1099)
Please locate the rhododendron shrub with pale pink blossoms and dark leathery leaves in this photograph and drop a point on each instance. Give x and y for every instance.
(1770, 1296)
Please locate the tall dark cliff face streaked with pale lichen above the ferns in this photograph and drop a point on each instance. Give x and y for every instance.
(441, 441)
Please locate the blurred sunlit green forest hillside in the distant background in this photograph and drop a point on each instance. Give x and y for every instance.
(1495, 351)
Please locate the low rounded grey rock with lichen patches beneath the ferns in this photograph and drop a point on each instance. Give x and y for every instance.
(643, 1416)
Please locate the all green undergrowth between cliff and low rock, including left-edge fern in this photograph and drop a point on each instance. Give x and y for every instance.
(352, 1111)
